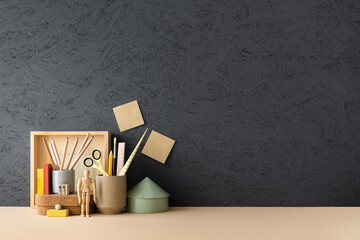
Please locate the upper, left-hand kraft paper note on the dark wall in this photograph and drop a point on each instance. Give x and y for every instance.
(128, 116)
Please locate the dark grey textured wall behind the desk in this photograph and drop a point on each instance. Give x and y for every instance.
(262, 97)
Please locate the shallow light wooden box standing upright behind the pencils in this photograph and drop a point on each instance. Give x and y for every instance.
(39, 155)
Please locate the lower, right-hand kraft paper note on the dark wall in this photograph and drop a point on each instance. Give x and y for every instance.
(158, 146)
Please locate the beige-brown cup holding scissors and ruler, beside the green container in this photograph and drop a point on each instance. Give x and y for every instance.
(111, 194)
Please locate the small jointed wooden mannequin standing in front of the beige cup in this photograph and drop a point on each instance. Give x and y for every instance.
(84, 192)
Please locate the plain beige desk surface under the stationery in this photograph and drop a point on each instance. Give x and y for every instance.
(189, 223)
